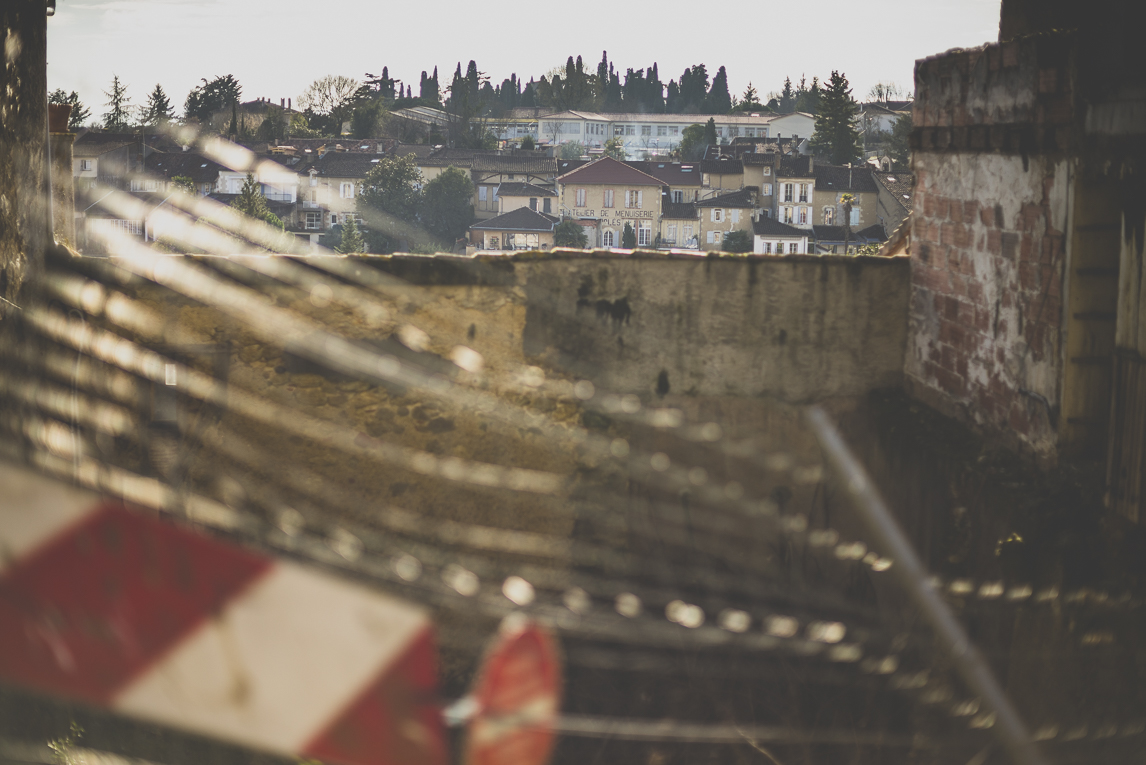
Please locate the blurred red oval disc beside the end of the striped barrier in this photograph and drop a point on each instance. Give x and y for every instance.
(519, 696)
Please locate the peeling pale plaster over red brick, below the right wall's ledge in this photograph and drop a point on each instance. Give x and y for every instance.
(987, 289)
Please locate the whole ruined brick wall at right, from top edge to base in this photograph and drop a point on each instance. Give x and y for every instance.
(988, 246)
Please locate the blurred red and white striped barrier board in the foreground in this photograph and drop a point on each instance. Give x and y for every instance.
(120, 610)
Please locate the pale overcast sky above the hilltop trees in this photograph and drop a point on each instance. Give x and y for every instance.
(277, 49)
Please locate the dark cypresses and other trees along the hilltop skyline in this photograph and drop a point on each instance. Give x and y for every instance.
(332, 102)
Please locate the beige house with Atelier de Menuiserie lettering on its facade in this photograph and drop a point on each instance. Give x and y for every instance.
(605, 195)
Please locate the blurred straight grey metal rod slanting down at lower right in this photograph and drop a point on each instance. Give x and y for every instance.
(910, 571)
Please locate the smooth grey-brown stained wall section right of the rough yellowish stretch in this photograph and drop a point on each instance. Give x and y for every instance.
(798, 329)
